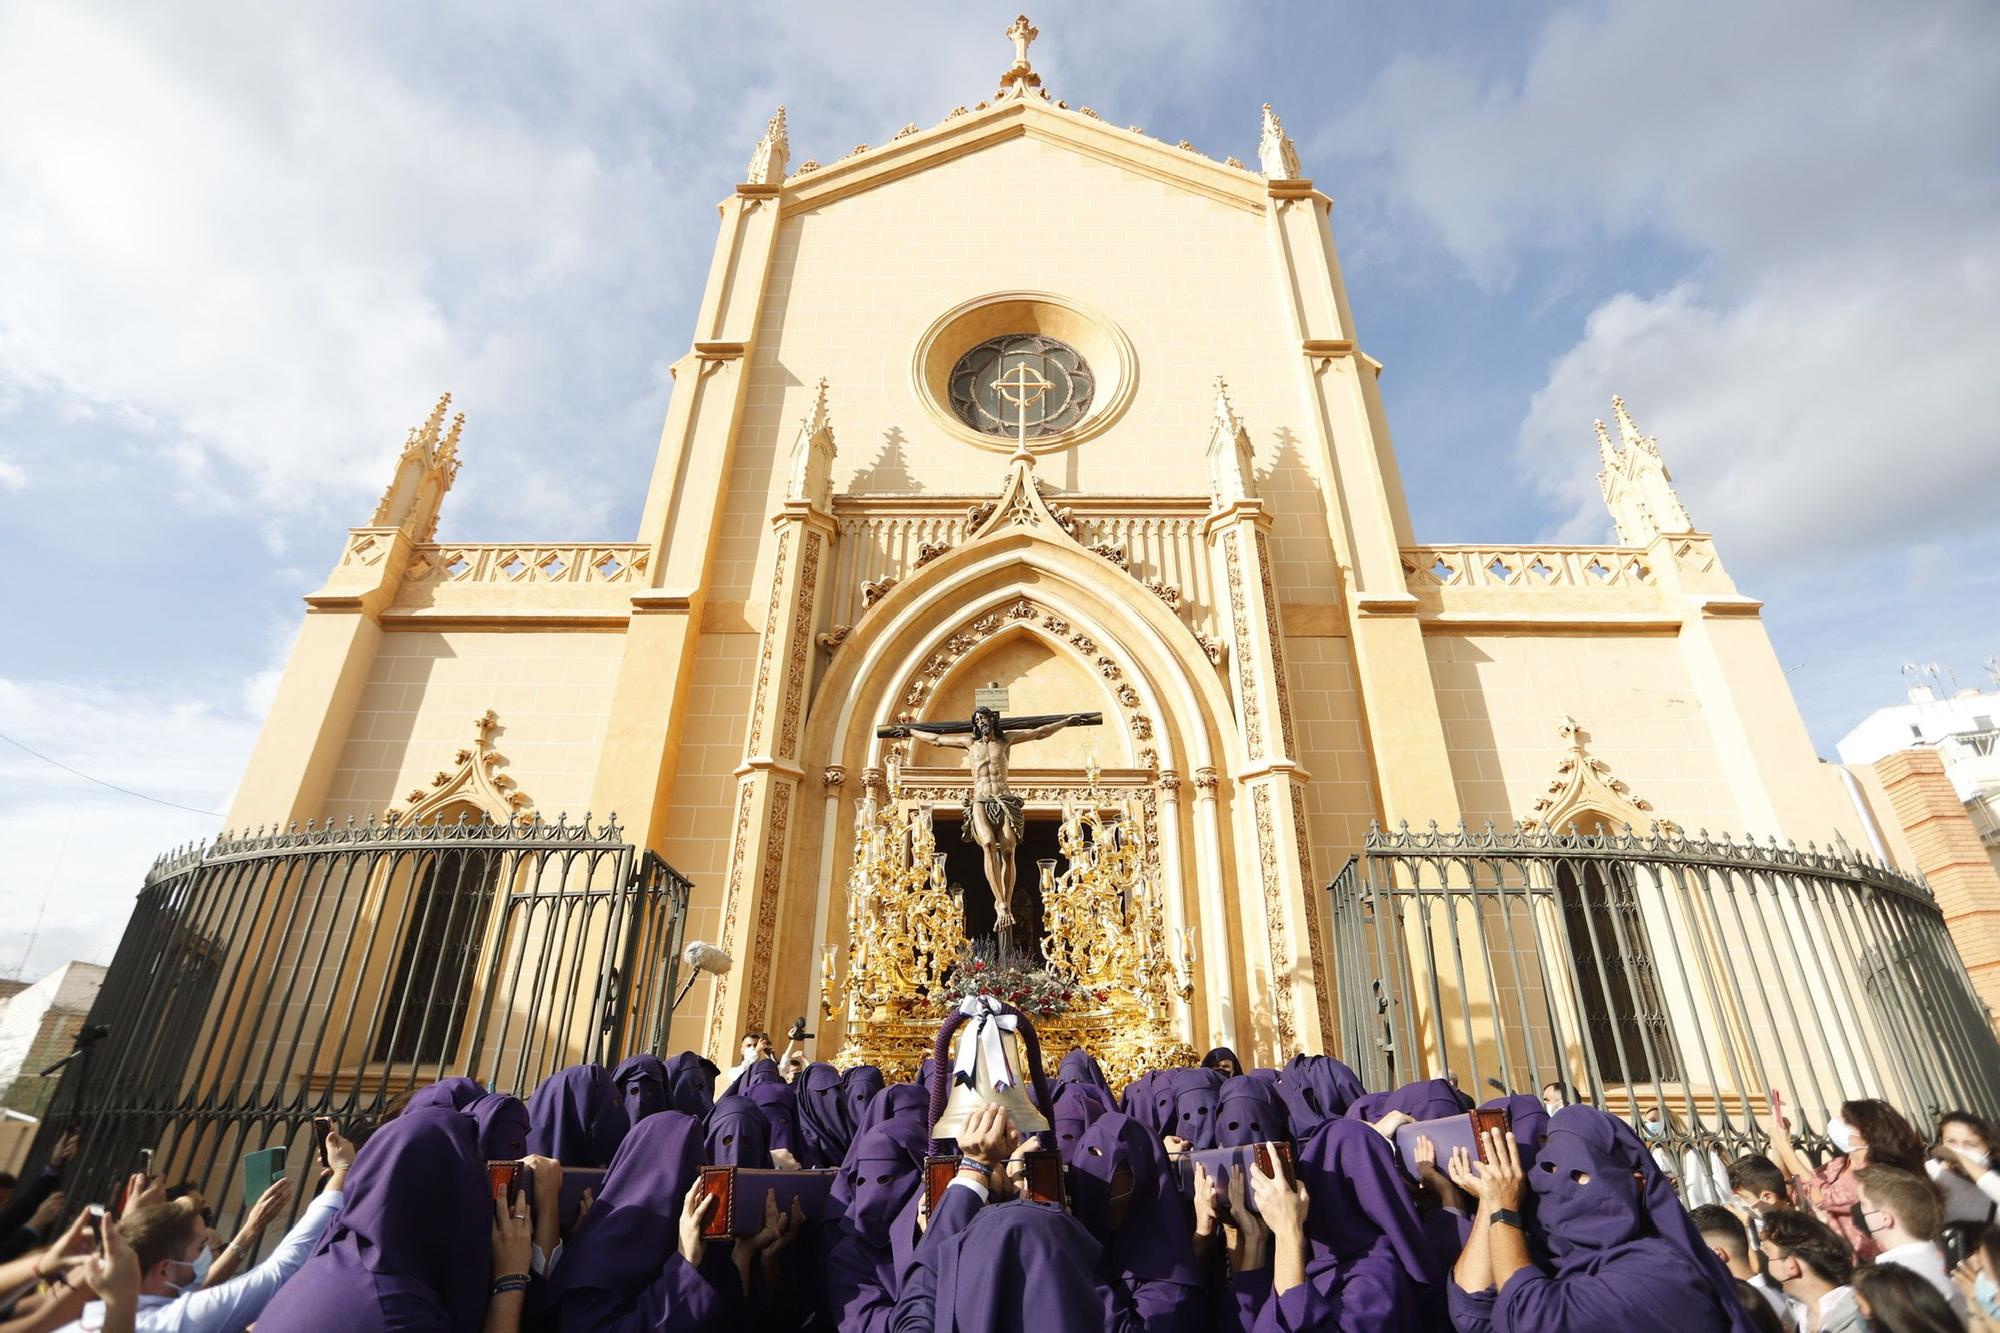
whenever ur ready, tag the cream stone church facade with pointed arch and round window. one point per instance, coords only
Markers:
(1277, 657)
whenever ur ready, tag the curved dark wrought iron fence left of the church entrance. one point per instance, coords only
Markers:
(271, 980)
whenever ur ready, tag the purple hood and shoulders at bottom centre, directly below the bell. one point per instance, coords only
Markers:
(1009, 1268)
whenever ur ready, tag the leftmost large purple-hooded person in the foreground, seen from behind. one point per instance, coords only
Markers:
(411, 1248)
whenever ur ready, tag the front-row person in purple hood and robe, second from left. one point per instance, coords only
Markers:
(623, 1270)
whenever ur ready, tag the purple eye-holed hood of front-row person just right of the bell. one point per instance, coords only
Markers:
(1153, 1244)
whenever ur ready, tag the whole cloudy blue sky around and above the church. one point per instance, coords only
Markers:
(245, 247)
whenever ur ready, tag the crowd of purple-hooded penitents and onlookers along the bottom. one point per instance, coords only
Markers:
(1559, 1218)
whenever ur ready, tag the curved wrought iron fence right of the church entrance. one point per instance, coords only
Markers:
(1689, 976)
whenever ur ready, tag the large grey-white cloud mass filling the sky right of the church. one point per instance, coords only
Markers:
(1821, 377)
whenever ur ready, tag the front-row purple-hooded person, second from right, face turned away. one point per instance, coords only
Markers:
(1367, 1260)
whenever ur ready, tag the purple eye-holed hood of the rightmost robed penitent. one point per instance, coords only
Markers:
(1589, 1222)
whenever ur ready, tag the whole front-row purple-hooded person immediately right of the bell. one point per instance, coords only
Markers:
(1149, 1256)
